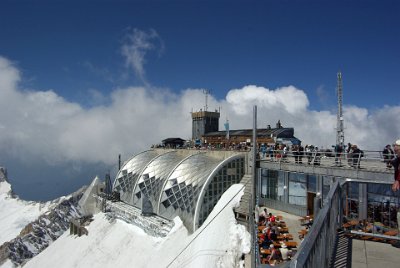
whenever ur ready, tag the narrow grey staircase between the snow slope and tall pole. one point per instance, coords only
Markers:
(242, 213)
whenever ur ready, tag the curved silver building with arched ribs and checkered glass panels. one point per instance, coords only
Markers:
(178, 183)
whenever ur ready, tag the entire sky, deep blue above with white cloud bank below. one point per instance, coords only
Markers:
(84, 81)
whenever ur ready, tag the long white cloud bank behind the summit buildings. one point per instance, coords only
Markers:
(41, 126)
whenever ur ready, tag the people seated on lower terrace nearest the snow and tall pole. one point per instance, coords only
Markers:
(269, 235)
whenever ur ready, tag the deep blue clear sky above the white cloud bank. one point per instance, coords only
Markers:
(73, 46)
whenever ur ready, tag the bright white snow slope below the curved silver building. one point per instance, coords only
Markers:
(220, 242)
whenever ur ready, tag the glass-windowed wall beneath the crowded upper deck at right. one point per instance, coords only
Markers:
(375, 201)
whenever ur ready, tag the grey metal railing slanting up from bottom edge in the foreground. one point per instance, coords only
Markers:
(317, 248)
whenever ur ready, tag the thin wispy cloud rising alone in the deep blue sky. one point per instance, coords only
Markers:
(135, 46)
